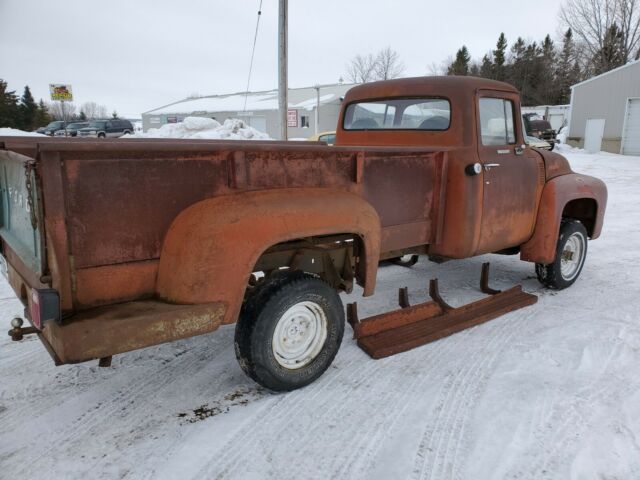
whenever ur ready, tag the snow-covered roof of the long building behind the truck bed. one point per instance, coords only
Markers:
(299, 98)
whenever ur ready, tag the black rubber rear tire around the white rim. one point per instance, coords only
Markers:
(264, 308)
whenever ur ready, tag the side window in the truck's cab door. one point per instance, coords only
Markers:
(497, 126)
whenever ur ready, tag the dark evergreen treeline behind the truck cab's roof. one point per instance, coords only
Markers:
(542, 72)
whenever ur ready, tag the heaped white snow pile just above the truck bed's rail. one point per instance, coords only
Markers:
(204, 128)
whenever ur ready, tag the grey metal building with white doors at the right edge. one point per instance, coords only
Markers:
(605, 112)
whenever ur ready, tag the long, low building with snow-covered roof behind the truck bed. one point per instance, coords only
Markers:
(308, 107)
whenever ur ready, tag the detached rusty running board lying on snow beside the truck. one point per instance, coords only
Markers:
(412, 326)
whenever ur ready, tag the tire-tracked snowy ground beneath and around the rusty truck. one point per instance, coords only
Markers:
(548, 392)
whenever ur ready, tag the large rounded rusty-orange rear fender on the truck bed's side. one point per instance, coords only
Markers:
(211, 248)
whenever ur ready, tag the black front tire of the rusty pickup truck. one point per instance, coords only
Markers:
(551, 275)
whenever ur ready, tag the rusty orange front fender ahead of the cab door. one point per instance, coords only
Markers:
(557, 193)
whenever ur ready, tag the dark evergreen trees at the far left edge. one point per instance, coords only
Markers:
(22, 113)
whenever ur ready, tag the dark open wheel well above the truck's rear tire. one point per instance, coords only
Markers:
(334, 258)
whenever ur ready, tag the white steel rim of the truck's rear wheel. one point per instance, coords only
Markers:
(299, 335)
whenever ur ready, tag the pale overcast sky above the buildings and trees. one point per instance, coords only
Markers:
(136, 55)
